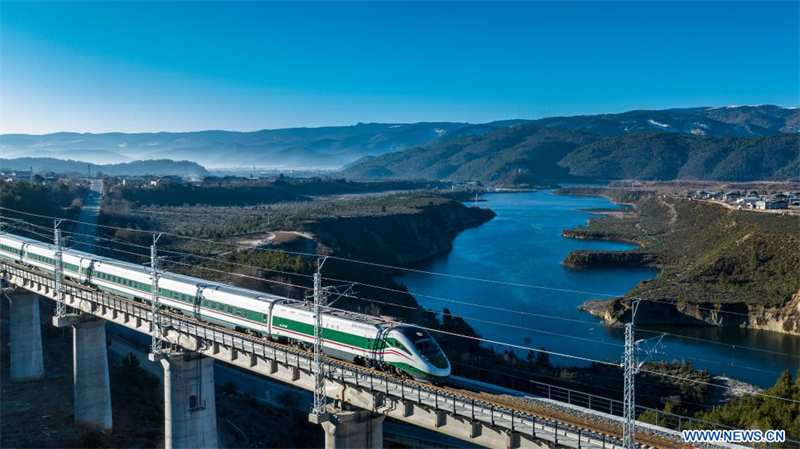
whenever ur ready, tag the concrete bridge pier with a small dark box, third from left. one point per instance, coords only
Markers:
(190, 414)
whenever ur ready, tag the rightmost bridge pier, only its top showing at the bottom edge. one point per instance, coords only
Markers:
(351, 429)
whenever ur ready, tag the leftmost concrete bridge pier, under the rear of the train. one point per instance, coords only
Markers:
(25, 333)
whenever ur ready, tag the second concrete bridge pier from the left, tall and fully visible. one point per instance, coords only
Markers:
(90, 372)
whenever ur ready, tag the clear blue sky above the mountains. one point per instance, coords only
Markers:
(139, 66)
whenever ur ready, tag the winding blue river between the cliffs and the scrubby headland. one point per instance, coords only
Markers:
(523, 244)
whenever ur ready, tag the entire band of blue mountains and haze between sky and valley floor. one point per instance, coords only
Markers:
(701, 136)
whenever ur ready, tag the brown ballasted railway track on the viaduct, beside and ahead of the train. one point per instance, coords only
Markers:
(506, 403)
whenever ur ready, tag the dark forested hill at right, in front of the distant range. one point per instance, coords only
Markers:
(527, 154)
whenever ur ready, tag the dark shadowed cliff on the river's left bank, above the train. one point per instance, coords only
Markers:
(399, 239)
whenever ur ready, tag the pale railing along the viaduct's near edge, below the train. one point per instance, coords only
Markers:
(475, 409)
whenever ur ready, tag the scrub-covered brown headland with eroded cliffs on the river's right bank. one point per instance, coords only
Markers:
(712, 260)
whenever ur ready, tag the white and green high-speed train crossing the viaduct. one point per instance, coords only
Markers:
(400, 348)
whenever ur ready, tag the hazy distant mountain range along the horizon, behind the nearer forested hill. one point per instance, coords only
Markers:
(338, 146)
